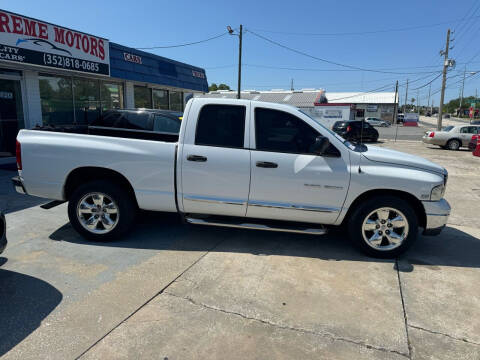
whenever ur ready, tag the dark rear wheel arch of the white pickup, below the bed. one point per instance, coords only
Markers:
(85, 174)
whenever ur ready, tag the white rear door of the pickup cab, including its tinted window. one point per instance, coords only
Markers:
(215, 159)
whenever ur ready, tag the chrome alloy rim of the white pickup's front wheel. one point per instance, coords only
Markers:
(385, 229)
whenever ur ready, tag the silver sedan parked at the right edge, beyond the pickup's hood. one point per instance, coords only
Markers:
(452, 137)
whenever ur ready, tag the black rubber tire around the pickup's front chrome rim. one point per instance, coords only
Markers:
(362, 212)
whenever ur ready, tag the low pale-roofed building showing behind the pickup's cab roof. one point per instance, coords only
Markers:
(337, 106)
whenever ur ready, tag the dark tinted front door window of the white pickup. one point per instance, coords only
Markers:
(279, 131)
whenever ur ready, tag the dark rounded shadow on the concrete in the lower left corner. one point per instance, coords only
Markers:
(24, 302)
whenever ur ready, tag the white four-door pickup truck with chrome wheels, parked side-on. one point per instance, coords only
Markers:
(238, 163)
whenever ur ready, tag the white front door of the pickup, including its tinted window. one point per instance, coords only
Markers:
(290, 182)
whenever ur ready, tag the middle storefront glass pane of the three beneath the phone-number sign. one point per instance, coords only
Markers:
(87, 100)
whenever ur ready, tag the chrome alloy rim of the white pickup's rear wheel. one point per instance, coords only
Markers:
(98, 213)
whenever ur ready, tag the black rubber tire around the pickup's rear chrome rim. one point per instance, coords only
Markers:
(124, 204)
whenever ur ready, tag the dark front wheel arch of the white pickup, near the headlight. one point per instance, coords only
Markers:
(411, 199)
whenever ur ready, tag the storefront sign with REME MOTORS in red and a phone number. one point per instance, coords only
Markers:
(29, 41)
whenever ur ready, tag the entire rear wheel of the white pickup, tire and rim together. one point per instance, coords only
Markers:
(101, 210)
